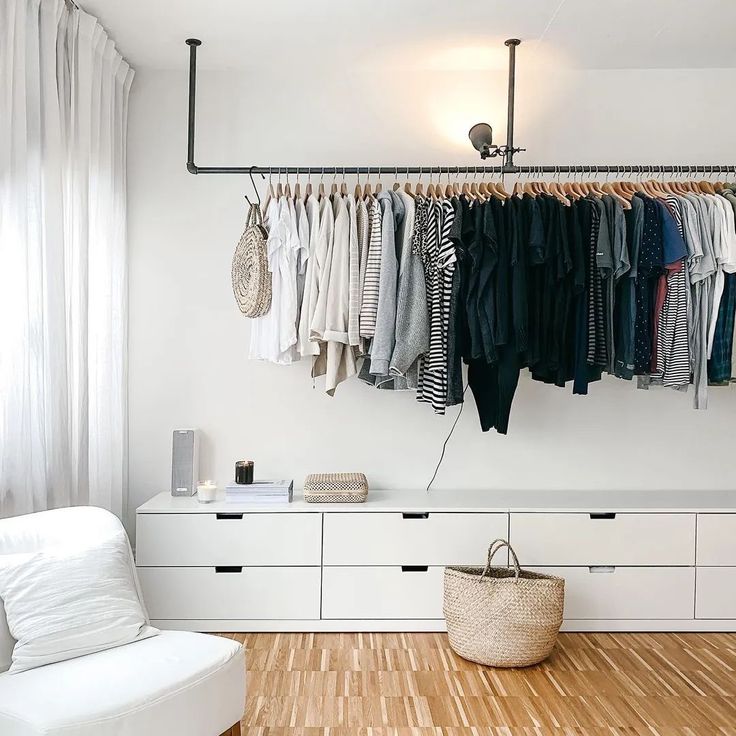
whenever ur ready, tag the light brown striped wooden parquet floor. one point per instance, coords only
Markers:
(414, 685)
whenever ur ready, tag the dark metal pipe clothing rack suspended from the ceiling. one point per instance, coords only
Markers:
(507, 151)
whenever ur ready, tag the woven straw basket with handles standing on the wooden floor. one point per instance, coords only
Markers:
(502, 617)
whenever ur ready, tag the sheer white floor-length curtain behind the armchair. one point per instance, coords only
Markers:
(63, 282)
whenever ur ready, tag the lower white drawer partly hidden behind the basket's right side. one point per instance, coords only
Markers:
(627, 592)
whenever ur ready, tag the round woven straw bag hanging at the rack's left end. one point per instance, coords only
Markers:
(251, 277)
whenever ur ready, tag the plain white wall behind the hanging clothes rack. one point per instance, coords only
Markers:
(188, 342)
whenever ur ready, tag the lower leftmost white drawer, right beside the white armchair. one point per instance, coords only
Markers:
(255, 592)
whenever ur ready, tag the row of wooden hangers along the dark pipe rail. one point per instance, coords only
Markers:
(566, 192)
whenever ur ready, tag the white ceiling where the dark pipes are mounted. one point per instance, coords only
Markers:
(437, 34)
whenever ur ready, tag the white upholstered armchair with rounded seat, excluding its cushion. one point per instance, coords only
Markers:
(174, 683)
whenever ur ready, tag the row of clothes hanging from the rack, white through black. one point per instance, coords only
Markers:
(570, 285)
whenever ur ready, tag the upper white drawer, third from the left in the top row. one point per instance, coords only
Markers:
(613, 539)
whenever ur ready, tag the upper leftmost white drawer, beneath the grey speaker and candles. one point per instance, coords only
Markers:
(228, 539)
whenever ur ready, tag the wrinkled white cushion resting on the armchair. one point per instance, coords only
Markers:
(71, 600)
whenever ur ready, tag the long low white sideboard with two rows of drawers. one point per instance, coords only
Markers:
(632, 561)
